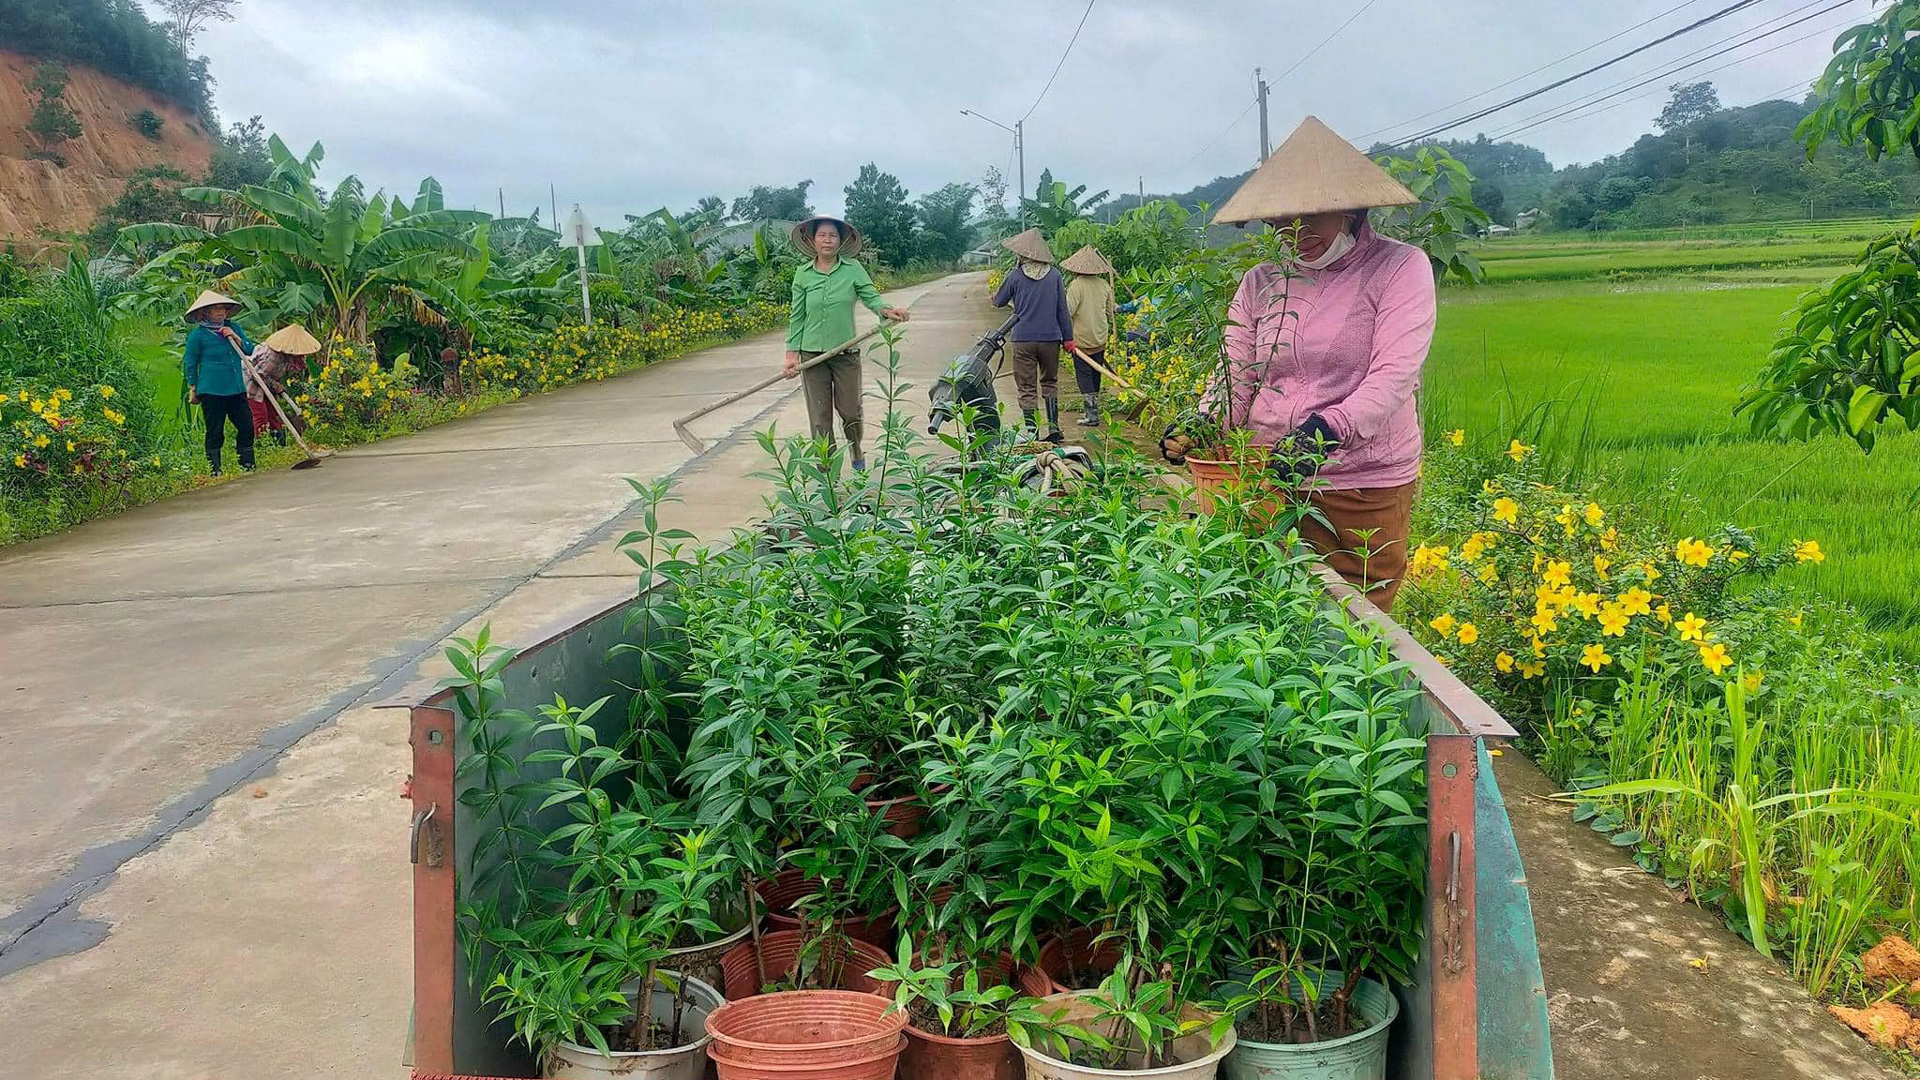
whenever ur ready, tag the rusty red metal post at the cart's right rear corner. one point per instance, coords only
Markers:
(1452, 910)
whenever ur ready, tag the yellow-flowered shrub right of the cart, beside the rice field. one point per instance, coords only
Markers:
(1529, 589)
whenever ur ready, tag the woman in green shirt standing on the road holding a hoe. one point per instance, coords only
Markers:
(823, 318)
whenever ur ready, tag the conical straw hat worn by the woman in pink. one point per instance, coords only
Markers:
(1314, 172)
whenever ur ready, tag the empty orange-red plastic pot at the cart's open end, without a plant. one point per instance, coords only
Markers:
(807, 1035)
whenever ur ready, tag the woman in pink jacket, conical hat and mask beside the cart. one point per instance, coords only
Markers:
(1326, 355)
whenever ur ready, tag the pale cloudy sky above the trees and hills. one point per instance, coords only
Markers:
(631, 105)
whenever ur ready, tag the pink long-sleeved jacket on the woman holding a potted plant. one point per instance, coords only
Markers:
(1349, 349)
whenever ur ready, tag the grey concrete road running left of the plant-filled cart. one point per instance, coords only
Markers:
(203, 848)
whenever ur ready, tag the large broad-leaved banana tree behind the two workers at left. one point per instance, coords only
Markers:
(329, 260)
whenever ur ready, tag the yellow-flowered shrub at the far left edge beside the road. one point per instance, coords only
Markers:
(66, 437)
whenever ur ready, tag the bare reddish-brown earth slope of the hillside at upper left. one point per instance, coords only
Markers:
(39, 197)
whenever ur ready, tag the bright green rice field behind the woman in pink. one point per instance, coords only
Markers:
(1641, 381)
